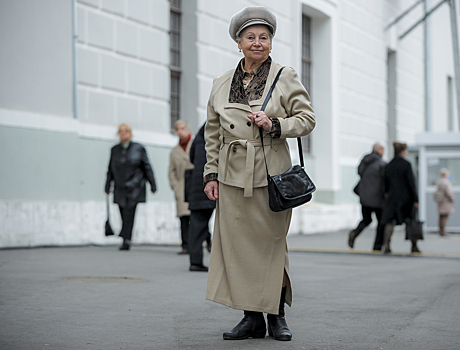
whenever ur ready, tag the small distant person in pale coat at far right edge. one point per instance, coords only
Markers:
(444, 197)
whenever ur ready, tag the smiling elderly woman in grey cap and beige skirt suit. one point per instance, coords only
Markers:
(249, 267)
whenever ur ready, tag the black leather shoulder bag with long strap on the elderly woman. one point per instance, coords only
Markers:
(293, 187)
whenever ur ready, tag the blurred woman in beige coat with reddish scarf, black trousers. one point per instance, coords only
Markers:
(179, 160)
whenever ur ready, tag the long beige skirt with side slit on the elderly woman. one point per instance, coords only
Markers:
(249, 252)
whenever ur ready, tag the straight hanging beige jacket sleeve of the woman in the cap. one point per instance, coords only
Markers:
(212, 138)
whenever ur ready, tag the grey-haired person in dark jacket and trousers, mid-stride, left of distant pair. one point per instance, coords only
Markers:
(370, 190)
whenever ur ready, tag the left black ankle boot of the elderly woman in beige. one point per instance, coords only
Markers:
(251, 326)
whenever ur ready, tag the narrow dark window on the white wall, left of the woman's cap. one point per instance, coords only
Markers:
(175, 58)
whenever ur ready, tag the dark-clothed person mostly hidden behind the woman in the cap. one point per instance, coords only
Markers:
(201, 207)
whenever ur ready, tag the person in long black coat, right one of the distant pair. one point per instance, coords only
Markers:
(400, 195)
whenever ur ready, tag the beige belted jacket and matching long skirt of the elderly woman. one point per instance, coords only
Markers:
(249, 250)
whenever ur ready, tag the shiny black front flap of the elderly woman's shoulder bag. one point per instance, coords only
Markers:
(294, 183)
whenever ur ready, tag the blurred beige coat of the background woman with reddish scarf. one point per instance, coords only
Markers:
(179, 160)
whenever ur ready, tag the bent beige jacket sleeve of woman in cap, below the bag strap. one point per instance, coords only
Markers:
(296, 102)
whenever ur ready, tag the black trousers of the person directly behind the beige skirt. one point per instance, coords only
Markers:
(199, 232)
